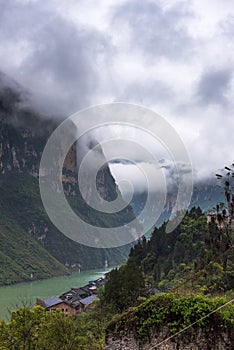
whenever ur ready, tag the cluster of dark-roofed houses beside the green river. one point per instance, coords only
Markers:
(77, 299)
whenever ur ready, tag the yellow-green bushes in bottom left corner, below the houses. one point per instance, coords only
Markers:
(38, 329)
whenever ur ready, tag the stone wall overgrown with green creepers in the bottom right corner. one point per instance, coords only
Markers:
(160, 322)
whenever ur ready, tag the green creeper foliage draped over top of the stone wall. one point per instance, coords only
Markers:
(176, 312)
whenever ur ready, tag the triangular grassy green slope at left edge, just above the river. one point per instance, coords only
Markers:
(22, 258)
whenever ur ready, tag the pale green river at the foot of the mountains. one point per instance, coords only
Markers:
(16, 295)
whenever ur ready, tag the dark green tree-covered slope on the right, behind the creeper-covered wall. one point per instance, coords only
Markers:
(188, 260)
